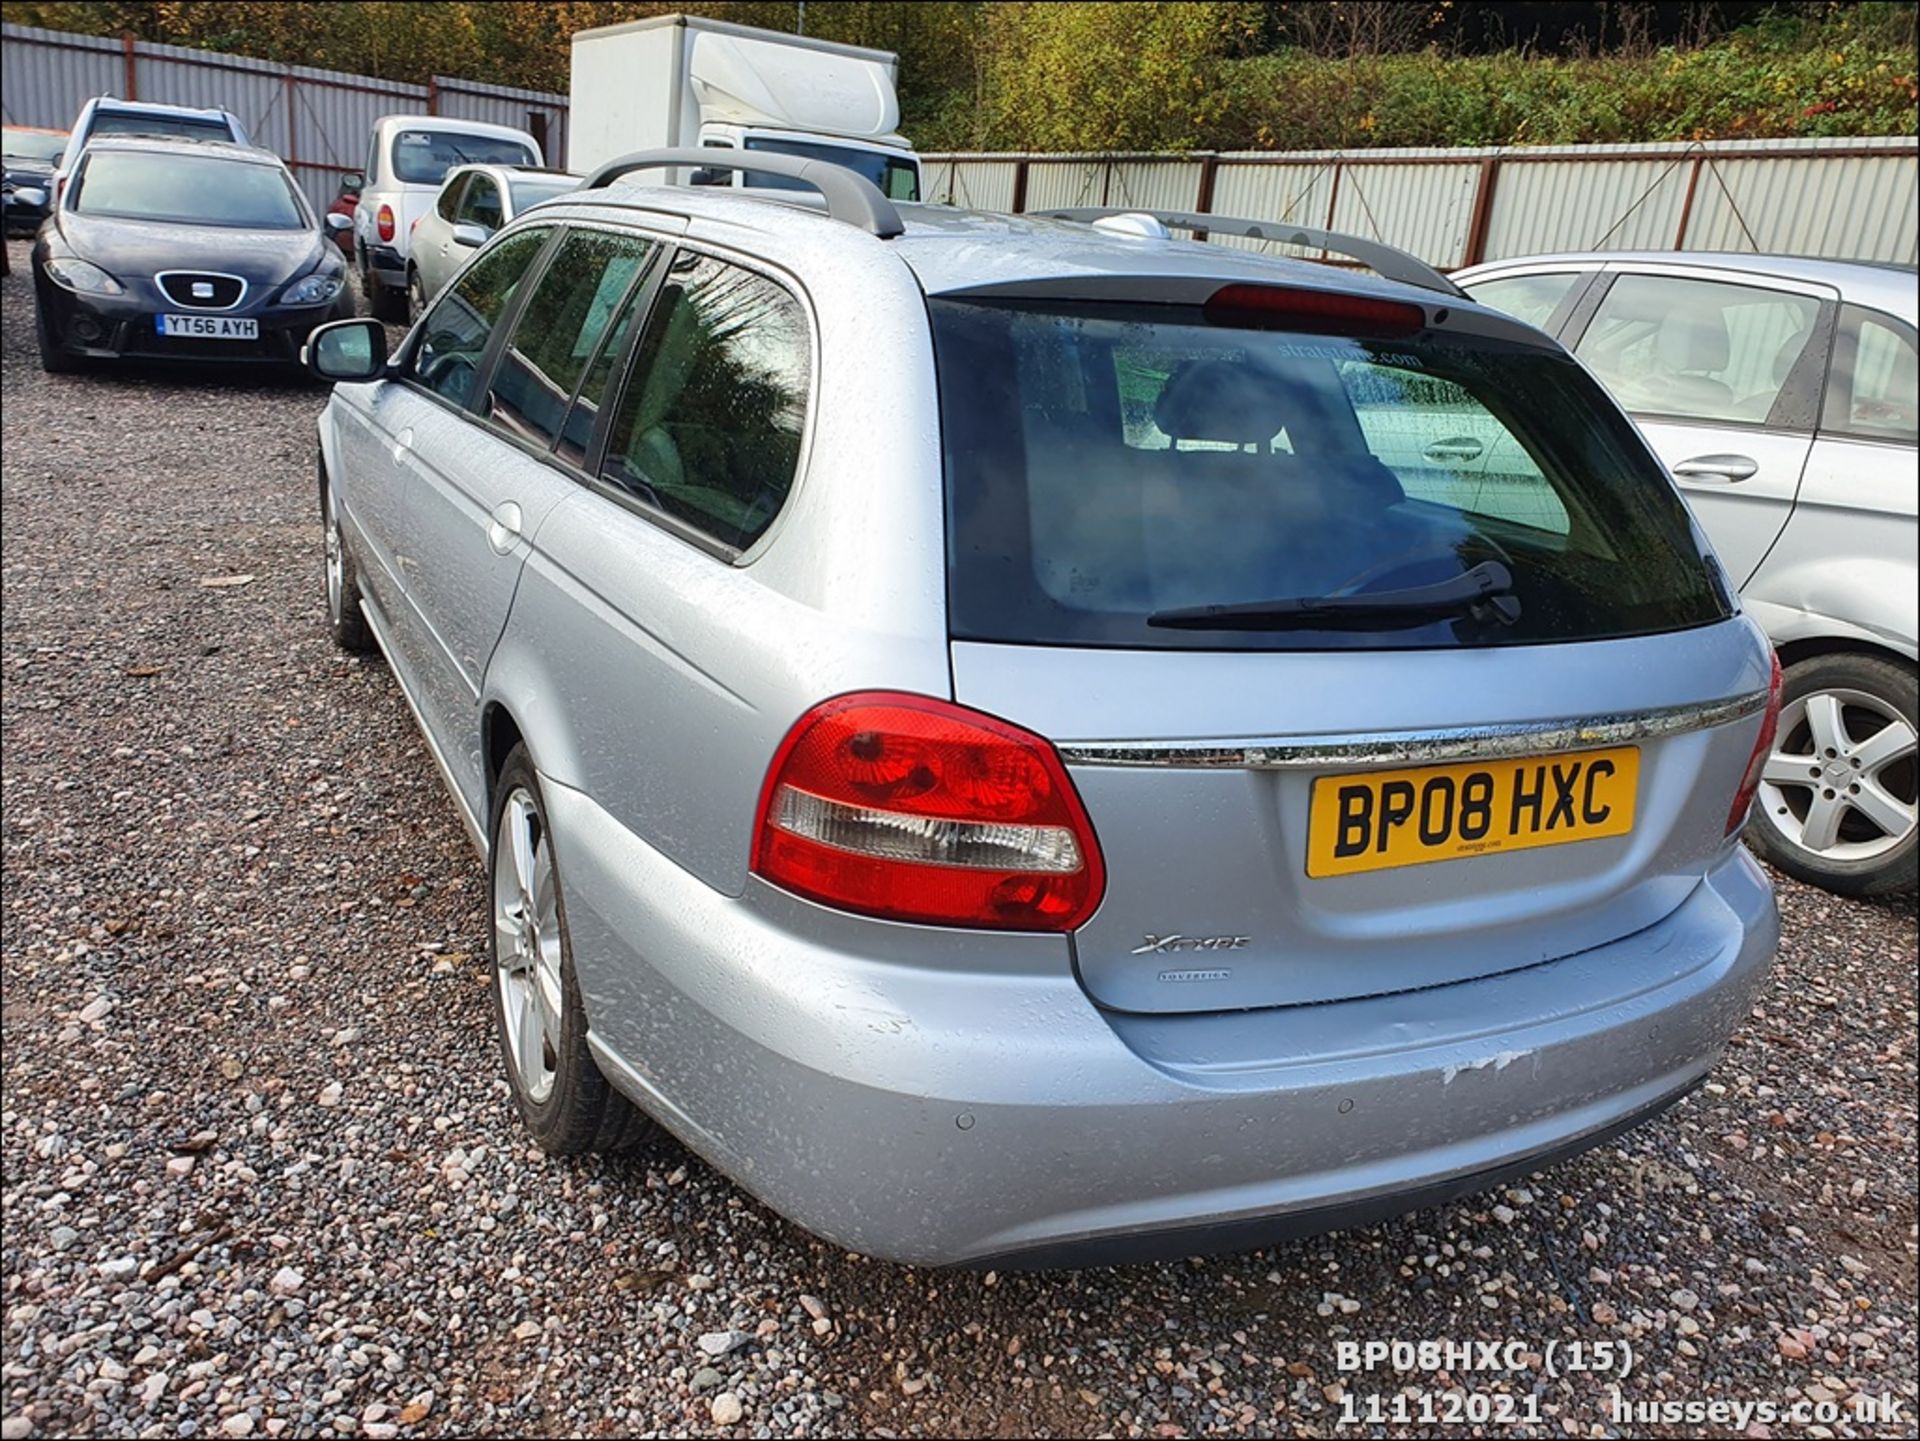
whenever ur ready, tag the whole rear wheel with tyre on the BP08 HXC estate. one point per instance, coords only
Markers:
(560, 1091)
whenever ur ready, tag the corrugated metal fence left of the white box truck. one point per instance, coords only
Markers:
(320, 122)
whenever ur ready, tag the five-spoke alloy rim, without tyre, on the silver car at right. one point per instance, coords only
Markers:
(1842, 780)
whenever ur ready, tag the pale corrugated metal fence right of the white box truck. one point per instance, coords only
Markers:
(1831, 197)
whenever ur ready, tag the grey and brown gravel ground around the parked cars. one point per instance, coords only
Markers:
(262, 1175)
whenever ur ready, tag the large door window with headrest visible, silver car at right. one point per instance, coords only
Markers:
(1698, 350)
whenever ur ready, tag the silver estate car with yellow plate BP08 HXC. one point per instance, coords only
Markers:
(1036, 740)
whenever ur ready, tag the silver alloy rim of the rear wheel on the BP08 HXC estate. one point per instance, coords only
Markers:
(527, 947)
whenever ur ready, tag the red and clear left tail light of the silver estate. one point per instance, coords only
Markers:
(923, 811)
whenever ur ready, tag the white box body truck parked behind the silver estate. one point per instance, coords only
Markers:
(679, 82)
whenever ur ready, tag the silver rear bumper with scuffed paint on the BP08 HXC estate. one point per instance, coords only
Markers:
(934, 1106)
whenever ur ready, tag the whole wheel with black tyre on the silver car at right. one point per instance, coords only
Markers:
(1838, 795)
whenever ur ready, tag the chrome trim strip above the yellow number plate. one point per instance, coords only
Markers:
(1418, 747)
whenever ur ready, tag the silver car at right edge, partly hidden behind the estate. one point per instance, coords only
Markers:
(1783, 394)
